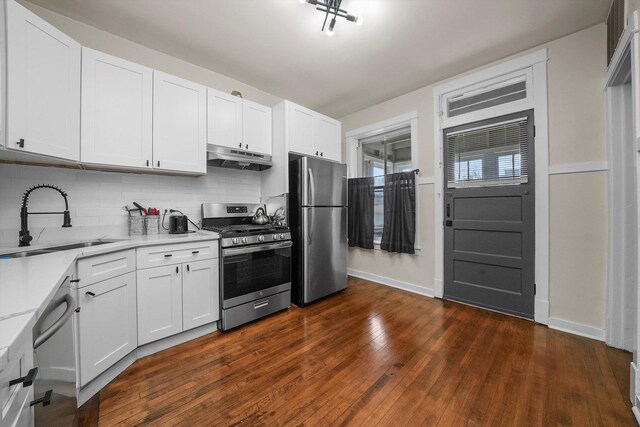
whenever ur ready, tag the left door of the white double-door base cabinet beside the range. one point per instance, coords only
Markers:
(159, 303)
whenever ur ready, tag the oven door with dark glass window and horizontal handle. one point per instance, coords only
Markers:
(256, 271)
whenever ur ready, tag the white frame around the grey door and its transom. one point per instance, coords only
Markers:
(536, 64)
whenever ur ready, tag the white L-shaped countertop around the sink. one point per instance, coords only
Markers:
(28, 284)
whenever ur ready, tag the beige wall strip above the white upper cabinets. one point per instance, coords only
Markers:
(106, 42)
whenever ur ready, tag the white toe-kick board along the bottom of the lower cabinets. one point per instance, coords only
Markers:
(110, 374)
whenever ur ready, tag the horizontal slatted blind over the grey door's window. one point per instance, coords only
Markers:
(493, 155)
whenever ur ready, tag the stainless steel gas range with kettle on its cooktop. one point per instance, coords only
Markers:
(255, 263)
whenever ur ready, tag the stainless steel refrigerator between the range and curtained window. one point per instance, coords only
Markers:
(318, 221)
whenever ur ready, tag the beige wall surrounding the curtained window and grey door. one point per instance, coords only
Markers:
(578, 213)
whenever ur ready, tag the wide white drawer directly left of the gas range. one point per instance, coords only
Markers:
(156, 256)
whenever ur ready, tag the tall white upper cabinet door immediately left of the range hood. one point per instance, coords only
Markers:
(179, 124)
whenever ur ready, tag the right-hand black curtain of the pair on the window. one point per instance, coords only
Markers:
(399, 230)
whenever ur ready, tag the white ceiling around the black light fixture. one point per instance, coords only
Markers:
(277, 45)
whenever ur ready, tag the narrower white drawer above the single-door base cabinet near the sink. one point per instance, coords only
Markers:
(95, 269)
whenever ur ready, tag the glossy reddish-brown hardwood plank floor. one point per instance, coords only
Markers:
(375, 355)
